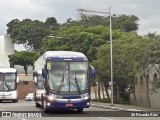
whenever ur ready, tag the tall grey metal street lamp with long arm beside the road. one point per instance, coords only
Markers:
(110, 26)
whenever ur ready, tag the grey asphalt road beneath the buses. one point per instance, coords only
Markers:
(25, 110)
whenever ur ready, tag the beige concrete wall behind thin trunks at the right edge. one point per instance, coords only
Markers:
(141, 89)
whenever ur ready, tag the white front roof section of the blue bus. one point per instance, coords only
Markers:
(65, 55)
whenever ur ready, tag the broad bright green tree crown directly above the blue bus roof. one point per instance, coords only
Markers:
(79, 38)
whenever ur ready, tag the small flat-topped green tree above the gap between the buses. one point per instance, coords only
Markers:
(24, 58)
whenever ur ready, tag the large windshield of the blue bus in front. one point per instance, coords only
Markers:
(67, 76)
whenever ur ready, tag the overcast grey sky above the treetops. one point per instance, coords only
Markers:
(148, 11)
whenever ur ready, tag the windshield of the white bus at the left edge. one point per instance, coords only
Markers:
(7, 81)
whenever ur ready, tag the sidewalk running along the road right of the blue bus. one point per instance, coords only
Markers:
(121, 107)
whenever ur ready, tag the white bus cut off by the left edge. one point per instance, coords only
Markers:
(8, 84)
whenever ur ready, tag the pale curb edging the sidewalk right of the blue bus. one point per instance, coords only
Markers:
(114, 108)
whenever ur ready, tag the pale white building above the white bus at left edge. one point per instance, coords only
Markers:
(6, 48)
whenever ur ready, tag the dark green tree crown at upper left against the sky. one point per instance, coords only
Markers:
(28, 32)
